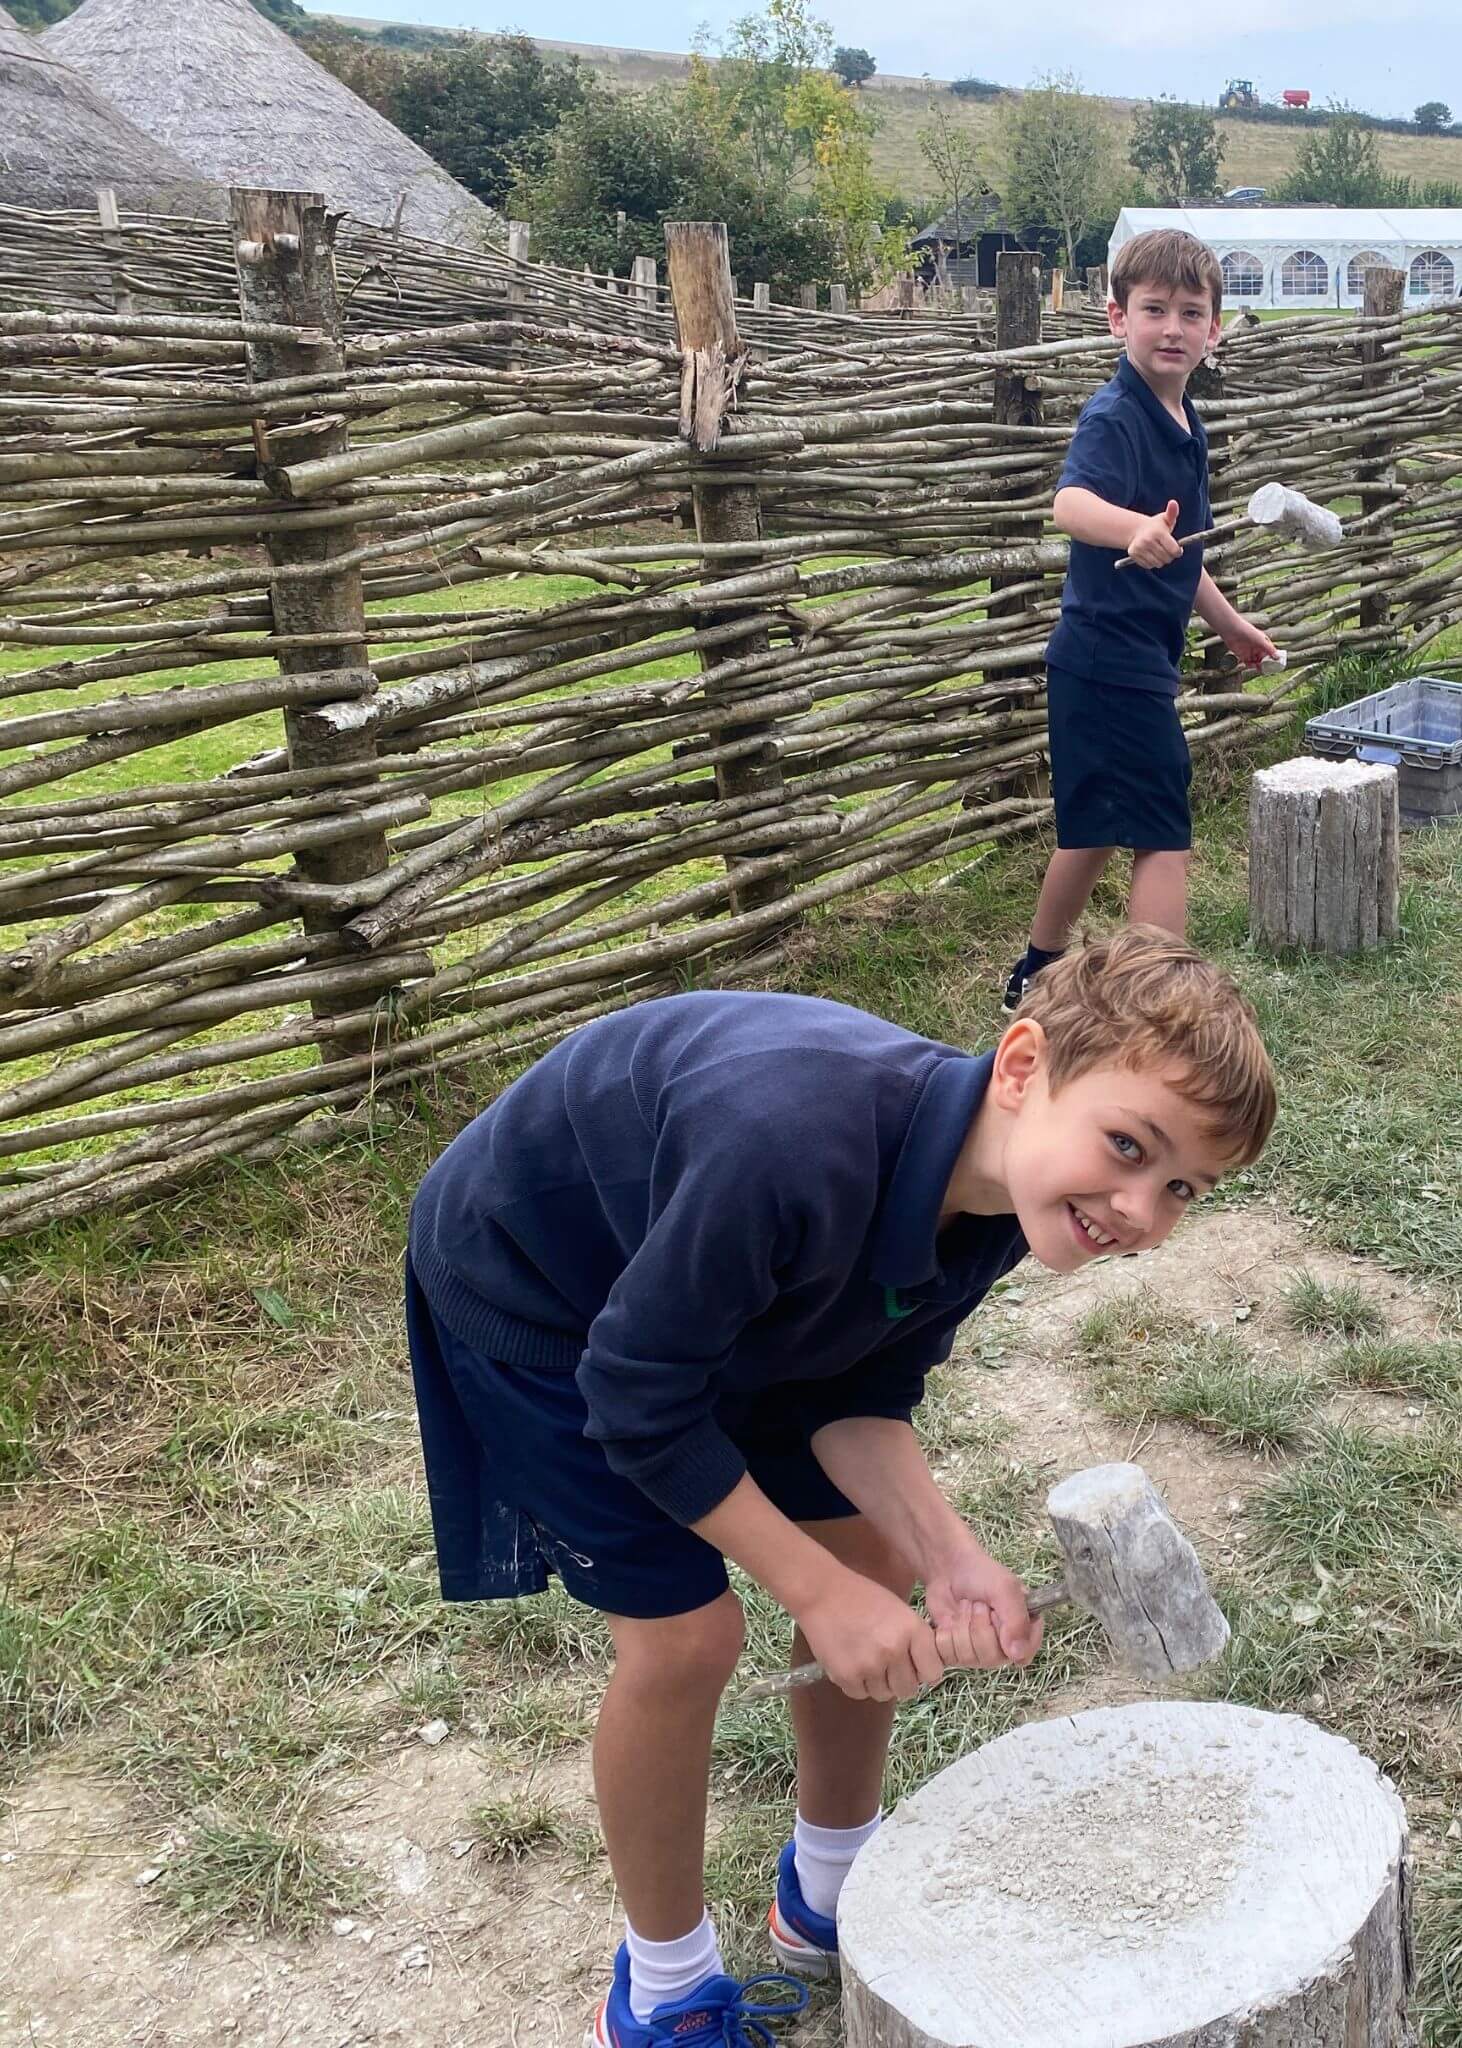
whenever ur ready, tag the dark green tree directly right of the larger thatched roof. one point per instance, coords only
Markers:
(484, 108)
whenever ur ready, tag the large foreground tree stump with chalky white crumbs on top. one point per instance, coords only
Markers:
(1170, 1875)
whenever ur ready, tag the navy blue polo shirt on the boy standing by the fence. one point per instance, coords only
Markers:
(1129, 628)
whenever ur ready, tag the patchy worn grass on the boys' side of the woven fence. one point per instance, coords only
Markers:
(220, 1586)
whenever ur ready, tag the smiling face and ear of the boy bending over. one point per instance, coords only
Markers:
(1105, 1164)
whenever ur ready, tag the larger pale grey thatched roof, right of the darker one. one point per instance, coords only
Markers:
(234, 95)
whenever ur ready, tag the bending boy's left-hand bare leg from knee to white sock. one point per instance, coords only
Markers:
(652, 1760)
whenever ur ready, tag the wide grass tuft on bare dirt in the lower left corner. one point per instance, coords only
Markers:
(243, 1873)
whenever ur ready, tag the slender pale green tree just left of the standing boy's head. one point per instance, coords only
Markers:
(1060, 161)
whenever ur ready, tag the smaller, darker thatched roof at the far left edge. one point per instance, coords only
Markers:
(60, 140)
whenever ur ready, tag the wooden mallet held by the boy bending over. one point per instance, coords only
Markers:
(1127, 1564)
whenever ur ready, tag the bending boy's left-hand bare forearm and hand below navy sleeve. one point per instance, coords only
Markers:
(869, 1641)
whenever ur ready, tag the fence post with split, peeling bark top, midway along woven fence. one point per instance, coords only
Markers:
(697, 259)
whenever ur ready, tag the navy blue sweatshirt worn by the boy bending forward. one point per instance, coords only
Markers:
(707, 1195)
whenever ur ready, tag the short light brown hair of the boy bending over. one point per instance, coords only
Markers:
(1148, 1000)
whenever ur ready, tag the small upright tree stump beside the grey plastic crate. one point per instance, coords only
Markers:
(1324, 855)
